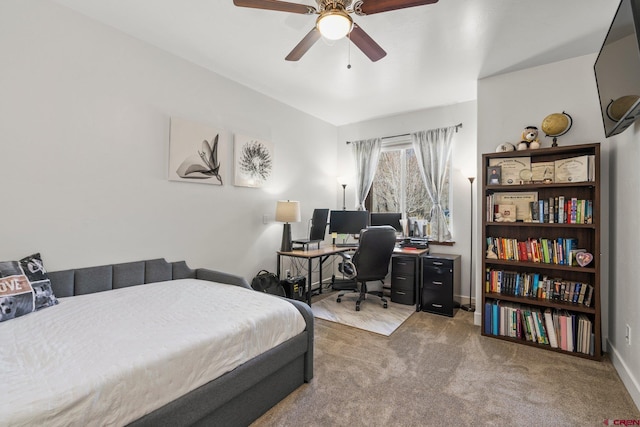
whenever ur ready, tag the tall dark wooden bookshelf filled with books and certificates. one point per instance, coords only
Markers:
(504, 304)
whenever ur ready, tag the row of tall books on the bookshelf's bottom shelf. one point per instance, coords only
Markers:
(561, 329)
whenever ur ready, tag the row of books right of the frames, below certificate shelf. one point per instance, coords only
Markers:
(561, 210)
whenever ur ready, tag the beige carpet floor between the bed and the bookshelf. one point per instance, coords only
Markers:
(435, 370)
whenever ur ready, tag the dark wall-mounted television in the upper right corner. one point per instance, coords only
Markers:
(617, 70)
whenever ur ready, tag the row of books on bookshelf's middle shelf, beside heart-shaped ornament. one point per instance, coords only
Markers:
(560, 251)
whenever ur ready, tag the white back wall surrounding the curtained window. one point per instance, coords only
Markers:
(464, 165)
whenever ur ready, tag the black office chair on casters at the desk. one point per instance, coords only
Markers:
(370, 262)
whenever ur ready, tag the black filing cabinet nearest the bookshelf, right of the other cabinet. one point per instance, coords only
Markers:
(441, 281)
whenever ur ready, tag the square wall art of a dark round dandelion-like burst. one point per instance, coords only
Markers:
(253, 161)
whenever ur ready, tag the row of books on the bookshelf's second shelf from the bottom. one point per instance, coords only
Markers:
(538, 286)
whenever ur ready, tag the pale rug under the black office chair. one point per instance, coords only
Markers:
(371, 317)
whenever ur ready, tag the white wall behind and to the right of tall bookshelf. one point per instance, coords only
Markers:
(509, 102)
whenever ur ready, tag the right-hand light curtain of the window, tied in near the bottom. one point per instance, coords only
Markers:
(433, 152)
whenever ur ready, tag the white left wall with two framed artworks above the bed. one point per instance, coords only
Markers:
(84, 124)
